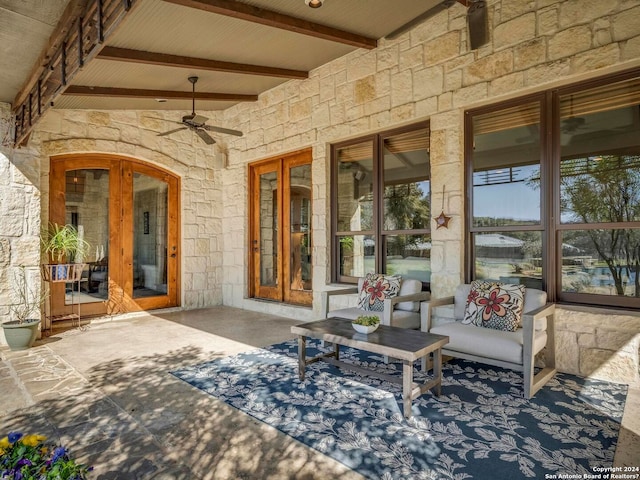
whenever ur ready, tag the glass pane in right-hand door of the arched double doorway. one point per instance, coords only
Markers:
(150, 196)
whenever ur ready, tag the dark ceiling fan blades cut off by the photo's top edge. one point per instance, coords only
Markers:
(477, 21)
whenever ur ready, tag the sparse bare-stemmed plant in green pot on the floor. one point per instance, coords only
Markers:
(21, 331)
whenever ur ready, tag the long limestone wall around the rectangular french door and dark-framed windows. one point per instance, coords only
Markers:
(429, 73)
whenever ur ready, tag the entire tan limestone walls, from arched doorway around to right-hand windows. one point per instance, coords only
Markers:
(427, 73)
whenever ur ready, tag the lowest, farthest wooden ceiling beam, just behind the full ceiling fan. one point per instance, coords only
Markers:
(88, 91)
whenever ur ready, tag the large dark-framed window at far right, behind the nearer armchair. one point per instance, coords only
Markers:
(554, 189)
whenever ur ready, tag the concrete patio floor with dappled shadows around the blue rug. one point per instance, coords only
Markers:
(106, 393)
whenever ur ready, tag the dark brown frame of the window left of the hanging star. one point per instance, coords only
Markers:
(377, 232)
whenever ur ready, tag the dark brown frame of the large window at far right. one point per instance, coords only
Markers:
(550, 190)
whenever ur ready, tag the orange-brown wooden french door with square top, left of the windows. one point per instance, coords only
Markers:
(280, 233)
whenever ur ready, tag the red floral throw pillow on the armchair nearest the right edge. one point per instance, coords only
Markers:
(494, 305)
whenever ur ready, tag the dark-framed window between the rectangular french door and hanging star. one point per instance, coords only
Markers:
(381, 205)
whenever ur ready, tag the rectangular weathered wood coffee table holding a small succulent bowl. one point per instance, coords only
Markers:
(404, 344)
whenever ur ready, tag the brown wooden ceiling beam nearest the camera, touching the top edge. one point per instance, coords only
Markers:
(270, 18)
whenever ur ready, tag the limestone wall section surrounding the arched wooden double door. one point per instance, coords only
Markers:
(134, 134)
